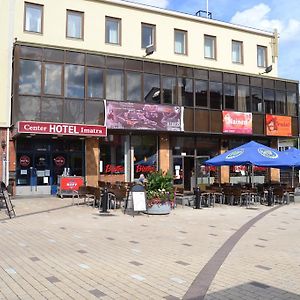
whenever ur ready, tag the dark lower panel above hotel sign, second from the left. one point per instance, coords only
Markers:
(51, 110)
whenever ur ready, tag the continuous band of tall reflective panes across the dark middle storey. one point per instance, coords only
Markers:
(84, 82)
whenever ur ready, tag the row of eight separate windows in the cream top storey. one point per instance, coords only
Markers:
(34, 23)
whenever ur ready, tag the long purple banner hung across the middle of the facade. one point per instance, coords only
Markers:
(124, 115)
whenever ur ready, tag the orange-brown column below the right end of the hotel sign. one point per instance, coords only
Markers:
(92, 161)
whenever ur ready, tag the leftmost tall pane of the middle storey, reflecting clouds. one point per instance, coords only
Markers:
(30, 77)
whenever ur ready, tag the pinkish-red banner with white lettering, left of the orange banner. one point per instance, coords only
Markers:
(237, 122)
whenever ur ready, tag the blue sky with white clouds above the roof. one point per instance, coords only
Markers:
(266, 15)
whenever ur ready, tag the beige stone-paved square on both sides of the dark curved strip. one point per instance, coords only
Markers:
(53, 250)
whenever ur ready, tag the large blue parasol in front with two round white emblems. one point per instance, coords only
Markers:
(251, 153)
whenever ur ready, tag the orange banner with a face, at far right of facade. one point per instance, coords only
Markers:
(278, 125)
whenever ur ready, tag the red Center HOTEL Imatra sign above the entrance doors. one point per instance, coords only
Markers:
(61, 129)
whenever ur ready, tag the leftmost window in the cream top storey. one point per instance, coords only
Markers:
(33, 18)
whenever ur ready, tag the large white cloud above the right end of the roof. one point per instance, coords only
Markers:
(257, 17)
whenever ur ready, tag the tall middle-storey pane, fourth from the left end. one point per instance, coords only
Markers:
(95, 83)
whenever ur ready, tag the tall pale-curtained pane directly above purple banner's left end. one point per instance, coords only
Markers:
(115, 85)
